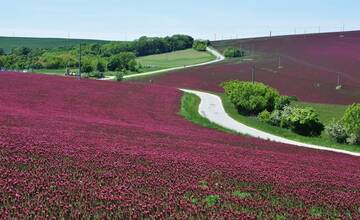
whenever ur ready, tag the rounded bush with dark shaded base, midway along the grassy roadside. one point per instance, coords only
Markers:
(303, 121)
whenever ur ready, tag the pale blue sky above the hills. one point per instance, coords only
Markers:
(205, 19)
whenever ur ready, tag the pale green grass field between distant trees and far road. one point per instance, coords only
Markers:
(173, 59)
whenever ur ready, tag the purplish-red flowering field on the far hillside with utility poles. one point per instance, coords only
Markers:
(310, 67)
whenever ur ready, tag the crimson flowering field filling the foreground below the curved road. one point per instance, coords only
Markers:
(81, 149)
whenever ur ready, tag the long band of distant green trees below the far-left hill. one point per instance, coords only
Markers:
(95, 57)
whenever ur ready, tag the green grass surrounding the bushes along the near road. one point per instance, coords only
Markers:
(323, 140)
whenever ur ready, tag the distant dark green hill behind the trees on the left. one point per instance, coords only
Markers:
(7, 43)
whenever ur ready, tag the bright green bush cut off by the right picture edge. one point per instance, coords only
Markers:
(351, 120)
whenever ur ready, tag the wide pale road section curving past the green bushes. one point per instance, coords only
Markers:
(211, 107)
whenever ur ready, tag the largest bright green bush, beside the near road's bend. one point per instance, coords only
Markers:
(250, 98)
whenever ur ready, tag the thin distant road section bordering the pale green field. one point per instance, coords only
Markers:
(219, 57)
